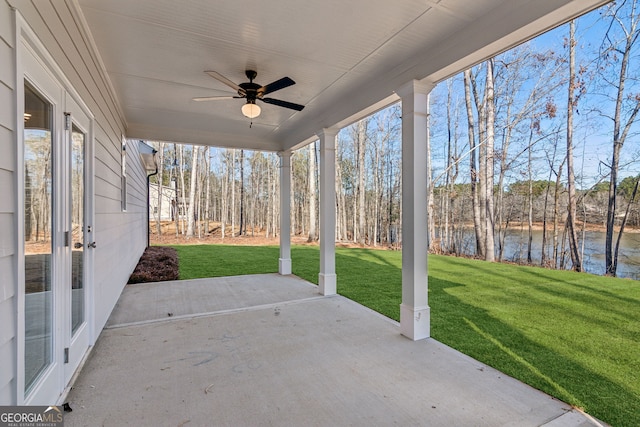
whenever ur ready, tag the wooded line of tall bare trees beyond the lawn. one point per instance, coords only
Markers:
(537, 136)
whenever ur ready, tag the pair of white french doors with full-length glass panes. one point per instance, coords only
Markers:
(56, 229)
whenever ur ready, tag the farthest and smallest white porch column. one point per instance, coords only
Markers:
(285, 213)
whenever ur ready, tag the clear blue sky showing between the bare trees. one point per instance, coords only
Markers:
(592, 131)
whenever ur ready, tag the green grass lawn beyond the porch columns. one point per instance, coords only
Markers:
(574, 336)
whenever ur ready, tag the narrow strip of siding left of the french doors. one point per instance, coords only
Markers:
(8, 238)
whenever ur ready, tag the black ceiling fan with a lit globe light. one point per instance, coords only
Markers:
(253, 92)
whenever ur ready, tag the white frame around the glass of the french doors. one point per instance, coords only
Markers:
(34, 64)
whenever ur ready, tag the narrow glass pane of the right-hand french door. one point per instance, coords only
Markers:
(77, 227)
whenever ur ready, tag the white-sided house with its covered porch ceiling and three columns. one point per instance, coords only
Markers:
(80, 78)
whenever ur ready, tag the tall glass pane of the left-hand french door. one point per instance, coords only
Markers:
(38, 218)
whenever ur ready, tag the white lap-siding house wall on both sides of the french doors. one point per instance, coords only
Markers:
(120, 236)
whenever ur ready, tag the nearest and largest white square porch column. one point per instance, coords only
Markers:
(414, 310)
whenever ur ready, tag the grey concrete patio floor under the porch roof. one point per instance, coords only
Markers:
(269, 350)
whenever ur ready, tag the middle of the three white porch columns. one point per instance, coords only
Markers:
(327, 277)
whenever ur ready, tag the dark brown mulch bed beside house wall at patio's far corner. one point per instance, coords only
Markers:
(157, 264)
